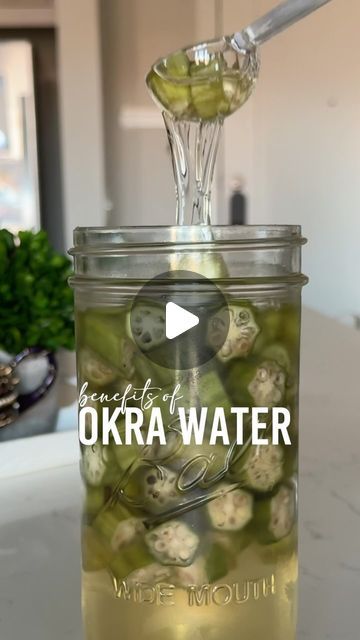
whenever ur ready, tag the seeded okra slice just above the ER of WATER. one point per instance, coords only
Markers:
(267, 388)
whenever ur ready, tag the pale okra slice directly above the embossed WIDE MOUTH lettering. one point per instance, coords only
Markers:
(173, 543)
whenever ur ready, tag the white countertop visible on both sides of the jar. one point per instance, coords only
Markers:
(39, 517)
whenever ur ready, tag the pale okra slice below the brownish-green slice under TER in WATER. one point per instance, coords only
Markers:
(232, 510)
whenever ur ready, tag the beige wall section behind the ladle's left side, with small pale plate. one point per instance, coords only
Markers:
(140, 185)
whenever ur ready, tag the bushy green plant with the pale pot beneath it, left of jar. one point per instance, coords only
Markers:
(36, 321)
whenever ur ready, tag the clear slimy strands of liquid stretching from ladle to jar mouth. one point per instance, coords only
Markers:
(193, 148)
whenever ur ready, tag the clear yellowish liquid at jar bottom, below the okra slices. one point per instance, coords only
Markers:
(257, 601)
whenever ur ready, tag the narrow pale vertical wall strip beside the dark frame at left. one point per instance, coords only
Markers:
(81, 114)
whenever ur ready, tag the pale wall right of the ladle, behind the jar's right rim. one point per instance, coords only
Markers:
(298, 144)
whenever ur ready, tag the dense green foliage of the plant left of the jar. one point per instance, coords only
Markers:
(36, 302)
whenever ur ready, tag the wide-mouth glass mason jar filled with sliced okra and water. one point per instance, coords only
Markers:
(190, 539)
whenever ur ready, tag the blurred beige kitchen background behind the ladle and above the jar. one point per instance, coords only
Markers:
(82, 144)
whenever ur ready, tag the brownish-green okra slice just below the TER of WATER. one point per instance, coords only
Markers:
(260, 468)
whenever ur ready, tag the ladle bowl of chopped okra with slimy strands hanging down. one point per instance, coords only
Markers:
(196, 89)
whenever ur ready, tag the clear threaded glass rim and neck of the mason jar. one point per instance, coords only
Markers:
(252, 257)
